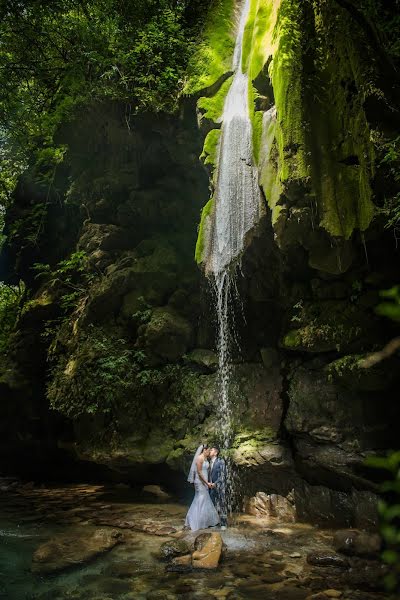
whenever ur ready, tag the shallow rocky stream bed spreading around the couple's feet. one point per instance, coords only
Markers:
(81, 542)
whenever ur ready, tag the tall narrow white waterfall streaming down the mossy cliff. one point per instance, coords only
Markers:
(237, 204)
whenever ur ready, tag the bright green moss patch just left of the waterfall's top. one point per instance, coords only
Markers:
(214, 54)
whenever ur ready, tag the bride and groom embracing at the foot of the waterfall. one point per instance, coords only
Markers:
(208, 474)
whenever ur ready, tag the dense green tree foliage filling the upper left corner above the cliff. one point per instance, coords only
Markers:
(56, 57)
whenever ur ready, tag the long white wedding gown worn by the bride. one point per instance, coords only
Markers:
(202, 513)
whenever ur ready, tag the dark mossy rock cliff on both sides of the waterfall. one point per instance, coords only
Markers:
(128, 360)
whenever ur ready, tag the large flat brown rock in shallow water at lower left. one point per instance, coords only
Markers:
(68, 550)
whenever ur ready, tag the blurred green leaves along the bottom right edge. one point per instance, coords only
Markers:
(389, 511)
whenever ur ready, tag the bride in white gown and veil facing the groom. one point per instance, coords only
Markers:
(202, 512)
